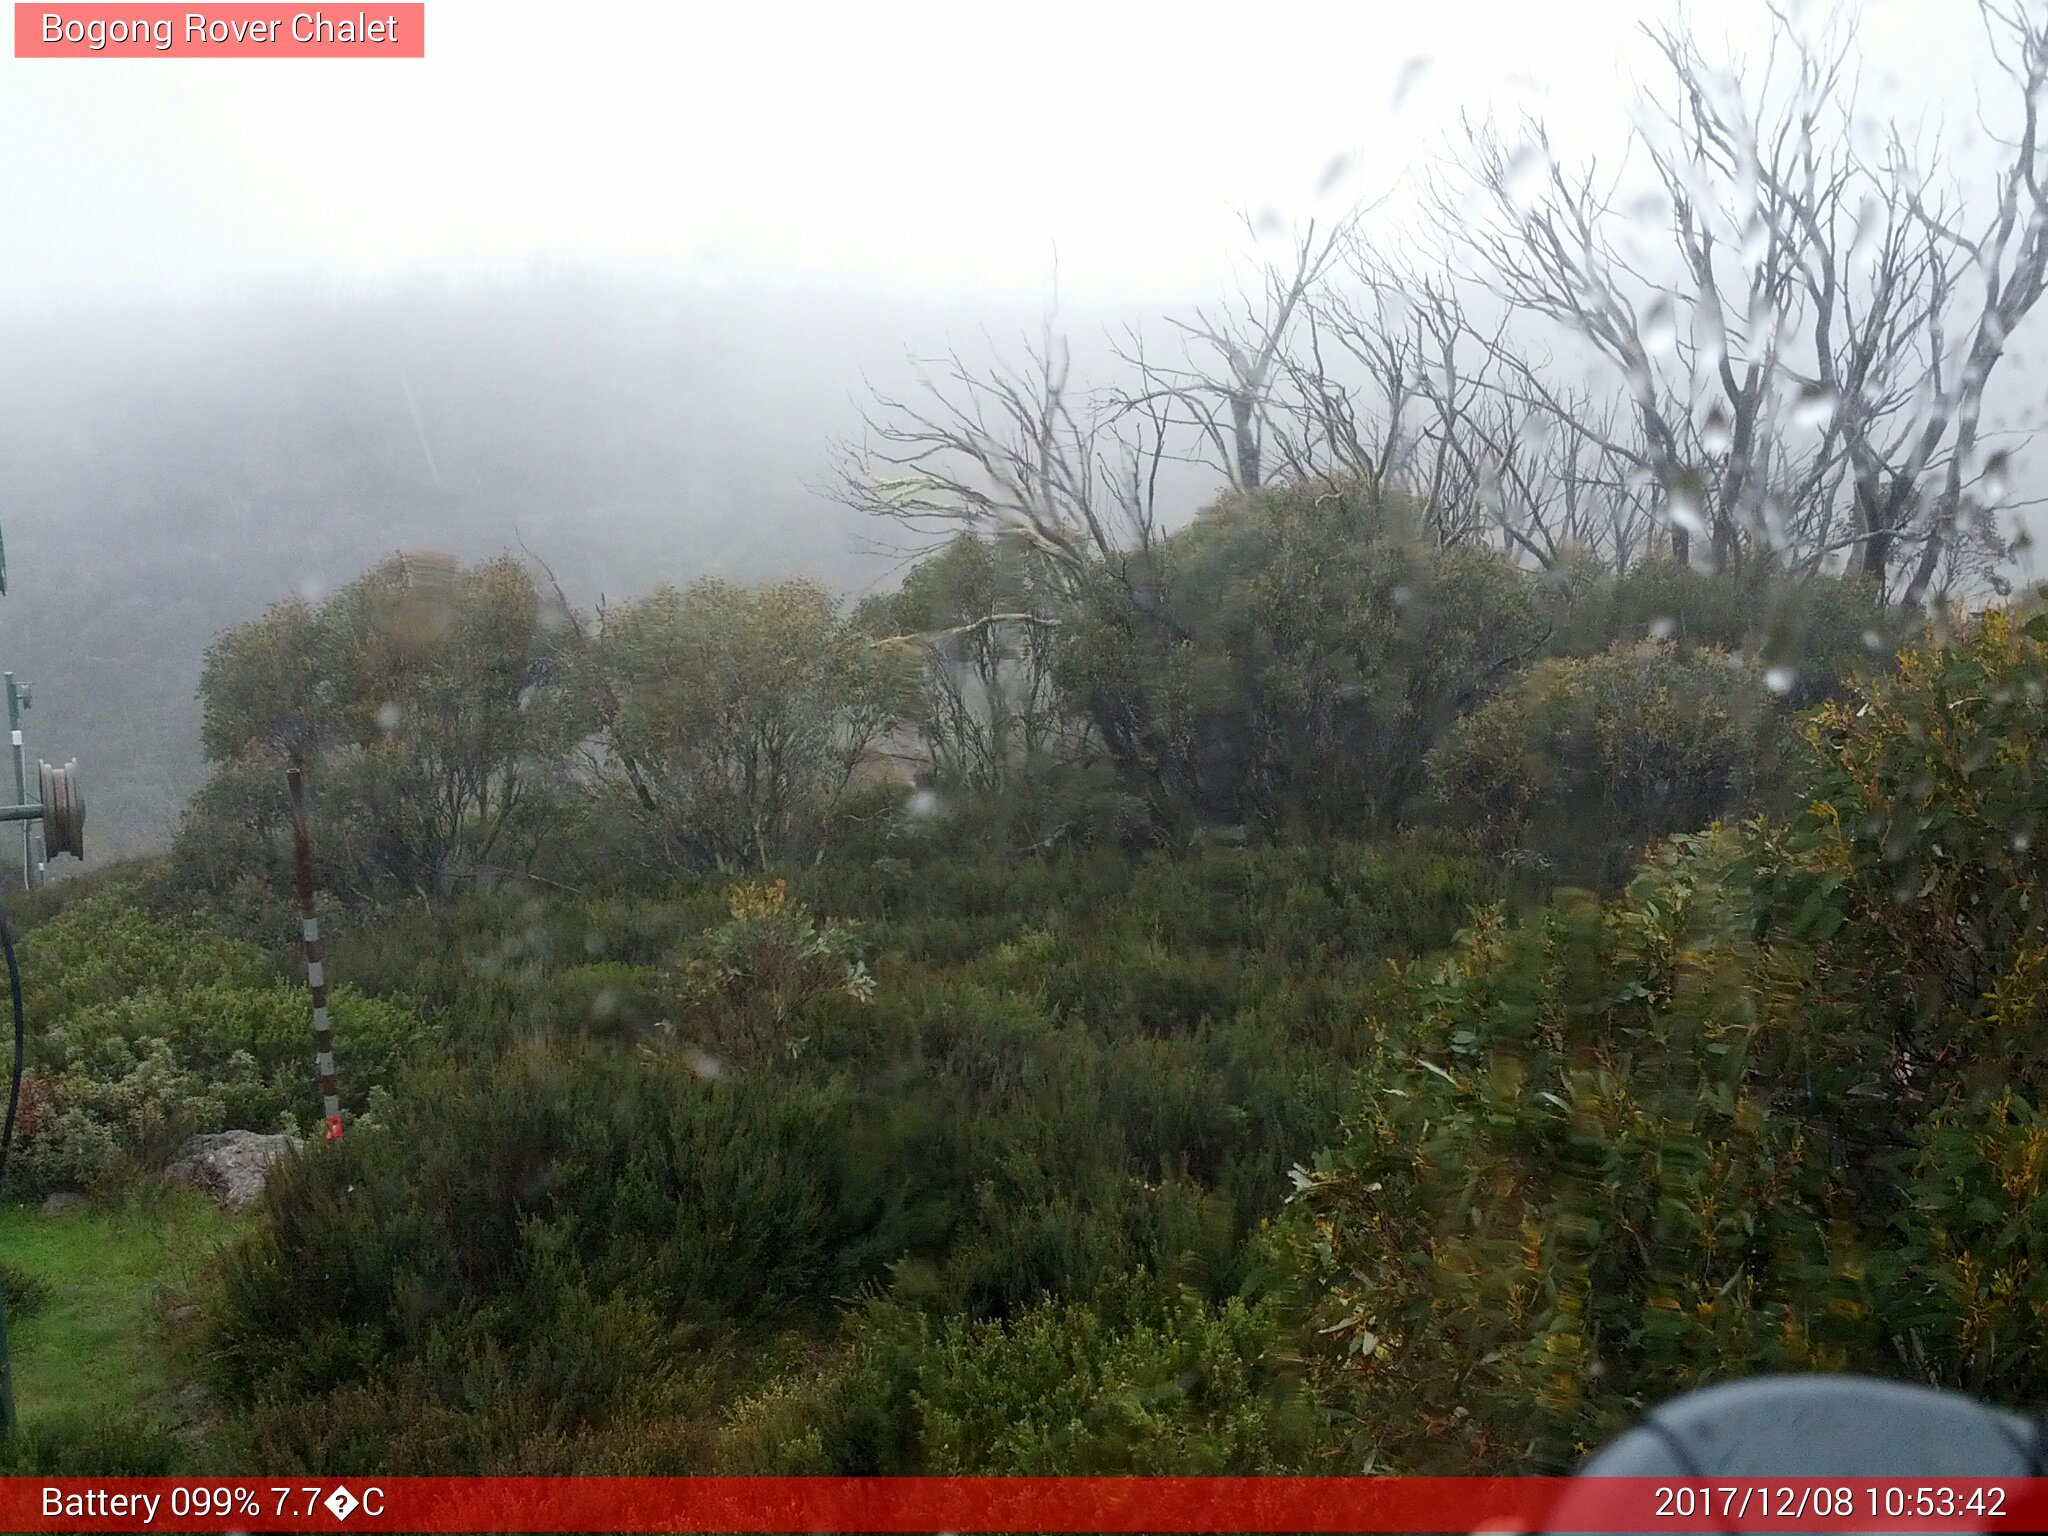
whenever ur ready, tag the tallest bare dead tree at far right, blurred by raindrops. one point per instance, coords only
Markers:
(1805, 357)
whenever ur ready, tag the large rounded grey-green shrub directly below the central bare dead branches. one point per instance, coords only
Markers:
(1330, 644)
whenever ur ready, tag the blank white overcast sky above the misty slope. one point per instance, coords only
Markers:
(935, 148)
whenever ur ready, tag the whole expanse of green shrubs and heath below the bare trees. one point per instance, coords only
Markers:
(792, 1039)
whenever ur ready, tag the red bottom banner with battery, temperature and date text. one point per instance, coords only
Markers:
(1021, 1504)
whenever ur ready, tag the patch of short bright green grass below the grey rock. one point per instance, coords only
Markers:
(105, 1340)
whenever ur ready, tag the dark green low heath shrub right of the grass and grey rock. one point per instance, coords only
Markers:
(505, 1197)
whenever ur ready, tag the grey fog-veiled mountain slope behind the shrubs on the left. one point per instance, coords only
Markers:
(173, 472)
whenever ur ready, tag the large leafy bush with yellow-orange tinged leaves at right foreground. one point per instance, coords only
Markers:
(1775, 1111)
